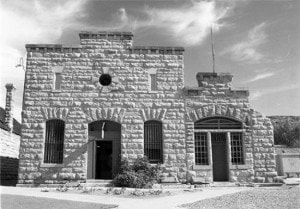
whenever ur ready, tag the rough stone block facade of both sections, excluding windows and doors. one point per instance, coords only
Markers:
(132, 97)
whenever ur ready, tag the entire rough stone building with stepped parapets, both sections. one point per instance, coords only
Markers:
(86, 106)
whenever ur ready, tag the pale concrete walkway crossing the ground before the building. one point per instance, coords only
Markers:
(168, 202)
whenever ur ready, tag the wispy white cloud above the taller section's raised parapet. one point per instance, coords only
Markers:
(189, 24)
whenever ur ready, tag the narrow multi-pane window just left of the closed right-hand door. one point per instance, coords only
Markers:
(201, 149)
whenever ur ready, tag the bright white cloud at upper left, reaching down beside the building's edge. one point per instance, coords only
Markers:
(38, 21)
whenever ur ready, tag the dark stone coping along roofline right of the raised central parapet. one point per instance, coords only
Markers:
(157, 50)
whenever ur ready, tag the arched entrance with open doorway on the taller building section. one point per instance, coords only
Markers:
(104, 149)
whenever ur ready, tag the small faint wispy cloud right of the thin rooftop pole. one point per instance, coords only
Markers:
(248, 50)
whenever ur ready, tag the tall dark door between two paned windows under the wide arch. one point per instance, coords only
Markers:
(219, 155)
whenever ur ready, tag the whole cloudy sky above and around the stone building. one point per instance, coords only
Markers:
(257, 40)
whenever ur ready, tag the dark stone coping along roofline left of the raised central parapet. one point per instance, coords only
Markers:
(51, 48)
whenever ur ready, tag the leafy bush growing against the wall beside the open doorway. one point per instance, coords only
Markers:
(138, 175)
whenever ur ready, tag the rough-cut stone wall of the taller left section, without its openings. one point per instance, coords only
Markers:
(82, 99)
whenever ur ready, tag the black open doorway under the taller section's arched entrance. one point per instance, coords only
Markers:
(104, 160)
